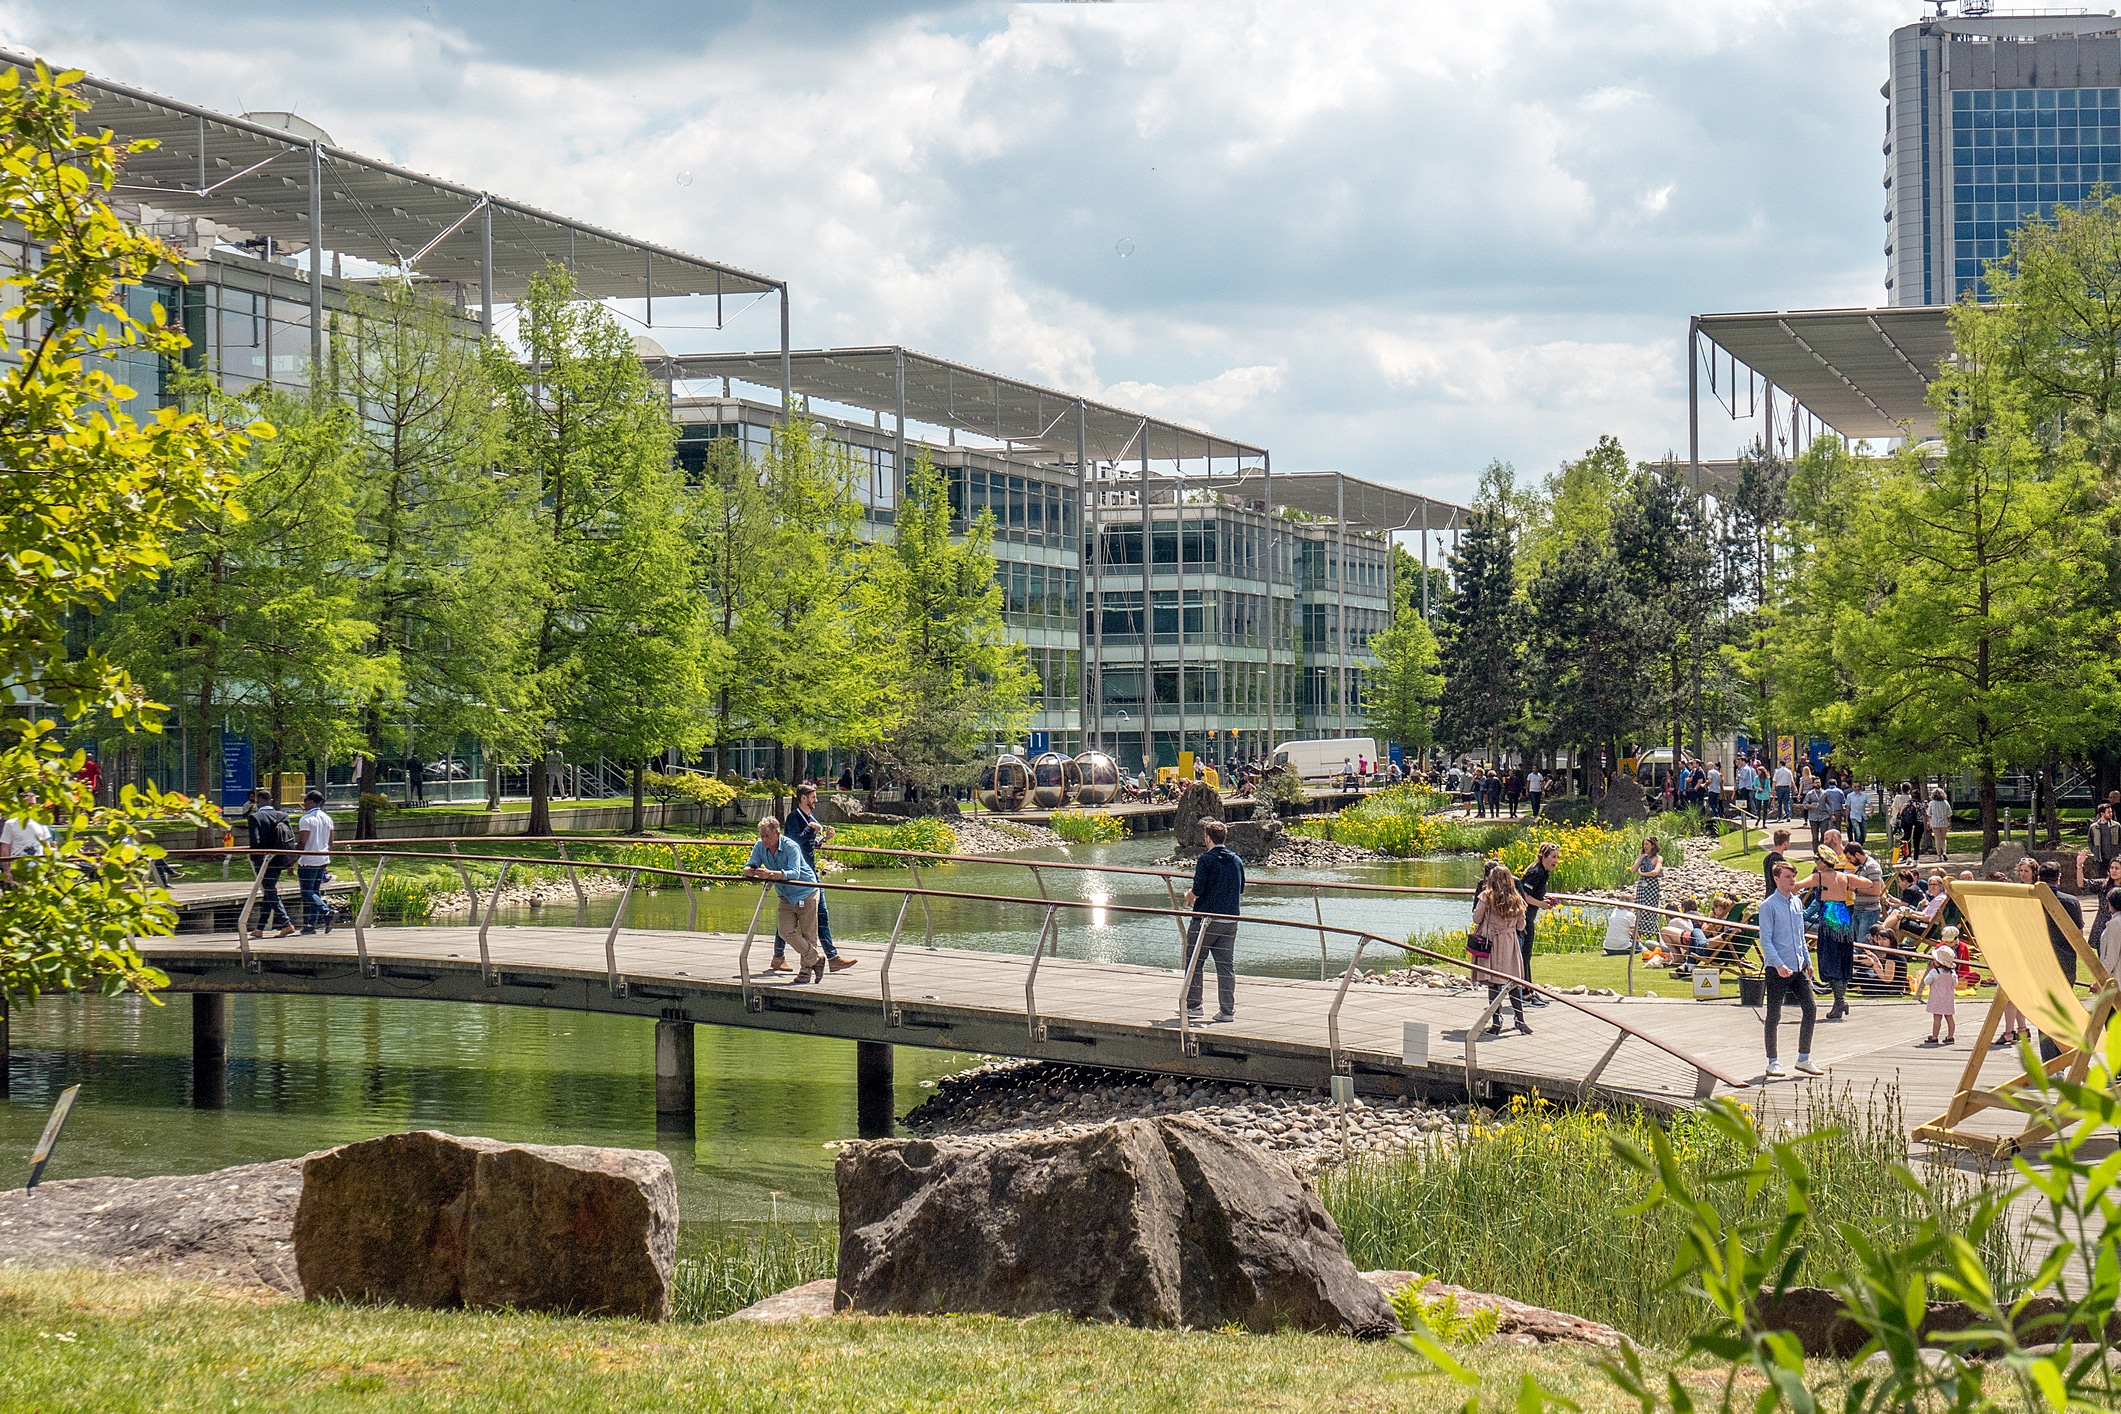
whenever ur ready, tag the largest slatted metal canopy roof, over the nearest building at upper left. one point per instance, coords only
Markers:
(256, 177)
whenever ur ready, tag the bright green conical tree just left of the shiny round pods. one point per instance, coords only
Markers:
(960, 682)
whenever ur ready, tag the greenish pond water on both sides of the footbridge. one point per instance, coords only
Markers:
(306, 1074)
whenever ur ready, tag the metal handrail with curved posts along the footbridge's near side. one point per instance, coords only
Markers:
(1333, 1019)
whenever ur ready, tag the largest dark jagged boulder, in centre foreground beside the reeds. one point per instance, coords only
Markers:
(1142, 1222)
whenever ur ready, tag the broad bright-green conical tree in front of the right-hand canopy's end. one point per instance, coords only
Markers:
(1980, 629)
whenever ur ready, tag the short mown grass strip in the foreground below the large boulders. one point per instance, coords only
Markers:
(86, 1341)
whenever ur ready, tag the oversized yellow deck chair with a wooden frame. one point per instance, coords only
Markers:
(2010, 923)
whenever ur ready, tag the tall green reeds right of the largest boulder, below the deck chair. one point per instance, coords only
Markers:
(1535, 1207)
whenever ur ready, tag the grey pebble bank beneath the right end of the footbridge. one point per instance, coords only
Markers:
(1004, 1101)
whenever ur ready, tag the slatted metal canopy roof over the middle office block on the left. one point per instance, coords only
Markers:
(962, 397)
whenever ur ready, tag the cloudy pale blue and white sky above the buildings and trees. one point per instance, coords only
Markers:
(1399, 241)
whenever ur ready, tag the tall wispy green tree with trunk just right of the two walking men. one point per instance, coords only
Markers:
(444, 565)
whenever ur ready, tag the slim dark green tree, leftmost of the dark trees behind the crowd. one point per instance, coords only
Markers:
(1479, 637)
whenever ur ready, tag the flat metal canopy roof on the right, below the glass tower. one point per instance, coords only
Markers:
(1863, 372)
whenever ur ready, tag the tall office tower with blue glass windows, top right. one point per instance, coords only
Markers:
(1993, 120)
